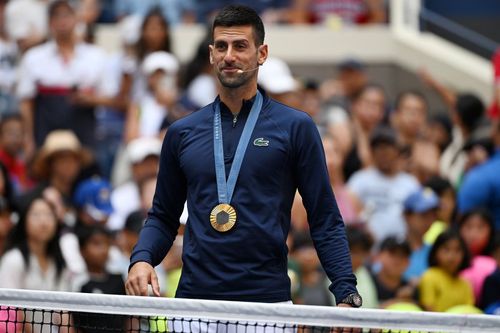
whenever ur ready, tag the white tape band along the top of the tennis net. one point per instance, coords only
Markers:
(249, 312)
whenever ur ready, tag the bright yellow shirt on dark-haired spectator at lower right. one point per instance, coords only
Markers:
(440, 291)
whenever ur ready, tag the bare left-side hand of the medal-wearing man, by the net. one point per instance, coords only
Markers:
(140, 276)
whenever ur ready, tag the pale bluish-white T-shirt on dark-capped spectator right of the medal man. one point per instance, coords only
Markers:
(382, 198)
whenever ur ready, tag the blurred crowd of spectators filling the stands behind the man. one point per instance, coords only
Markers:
(81, 134)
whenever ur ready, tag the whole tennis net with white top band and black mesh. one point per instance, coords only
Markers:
(40, 311)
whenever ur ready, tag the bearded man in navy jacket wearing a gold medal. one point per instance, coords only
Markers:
(234, 242)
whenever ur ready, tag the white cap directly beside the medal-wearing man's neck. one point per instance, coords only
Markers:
(275, 77)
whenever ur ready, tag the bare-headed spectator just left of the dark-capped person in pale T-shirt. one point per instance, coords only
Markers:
(367, 113)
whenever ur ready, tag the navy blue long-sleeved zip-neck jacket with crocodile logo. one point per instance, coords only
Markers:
(249, 262)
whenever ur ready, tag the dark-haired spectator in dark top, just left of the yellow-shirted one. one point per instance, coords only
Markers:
(392, 261)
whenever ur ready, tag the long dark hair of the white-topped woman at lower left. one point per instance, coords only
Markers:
(19, 238)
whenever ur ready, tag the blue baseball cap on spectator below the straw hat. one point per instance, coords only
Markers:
(94, 196)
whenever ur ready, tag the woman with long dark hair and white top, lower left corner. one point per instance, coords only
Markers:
(33, 259)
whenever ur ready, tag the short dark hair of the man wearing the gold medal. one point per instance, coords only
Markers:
(239, 15)
